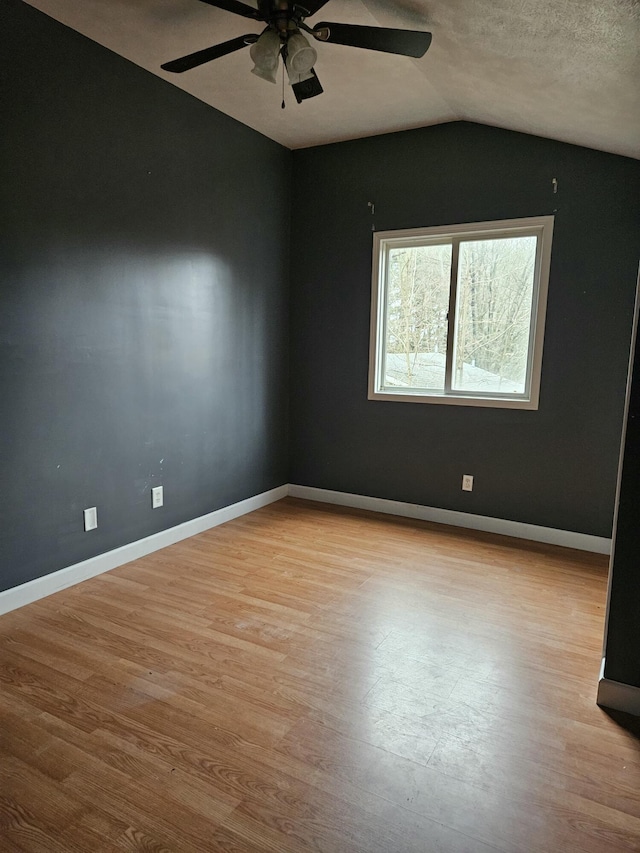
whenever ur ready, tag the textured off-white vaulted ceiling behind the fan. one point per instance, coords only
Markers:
(565, 69)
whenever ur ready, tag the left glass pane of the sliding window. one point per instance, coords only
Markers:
(416, 322)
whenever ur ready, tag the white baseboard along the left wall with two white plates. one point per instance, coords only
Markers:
(33, 590)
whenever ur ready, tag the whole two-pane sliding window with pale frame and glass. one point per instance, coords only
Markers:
(458, 313)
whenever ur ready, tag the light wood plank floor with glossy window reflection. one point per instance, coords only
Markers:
(308, 678)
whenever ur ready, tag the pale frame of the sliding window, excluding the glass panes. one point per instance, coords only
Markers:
(383, 241)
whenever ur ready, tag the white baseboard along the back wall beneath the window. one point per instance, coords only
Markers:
(520, 530)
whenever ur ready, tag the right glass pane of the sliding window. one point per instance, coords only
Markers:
(493, 315)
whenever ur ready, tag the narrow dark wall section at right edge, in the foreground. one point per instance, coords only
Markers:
(622, 643)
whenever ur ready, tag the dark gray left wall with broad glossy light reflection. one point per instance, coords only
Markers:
(143, 301)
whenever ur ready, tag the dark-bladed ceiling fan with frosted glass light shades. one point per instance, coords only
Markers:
(282, 38)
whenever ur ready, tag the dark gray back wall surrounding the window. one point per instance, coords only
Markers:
(554, 467)
